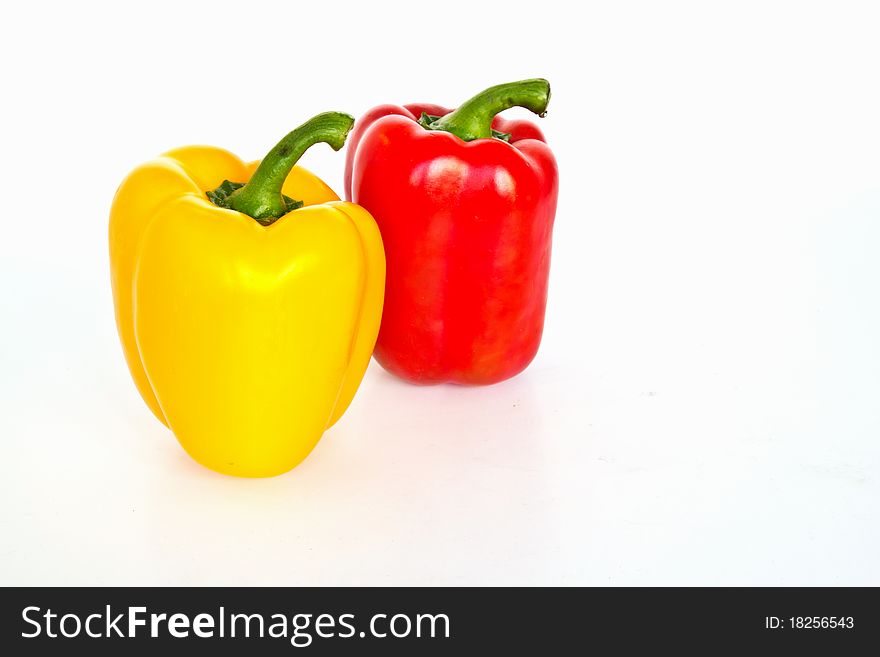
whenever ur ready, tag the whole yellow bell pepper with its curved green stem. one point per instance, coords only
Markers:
(247, 323)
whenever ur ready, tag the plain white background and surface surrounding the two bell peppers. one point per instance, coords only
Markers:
(704, 407)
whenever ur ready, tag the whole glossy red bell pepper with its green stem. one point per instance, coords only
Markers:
(465, 202)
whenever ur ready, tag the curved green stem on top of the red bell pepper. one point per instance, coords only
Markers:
(473, 119)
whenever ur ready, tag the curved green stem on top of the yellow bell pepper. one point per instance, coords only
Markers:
(261, 197)
